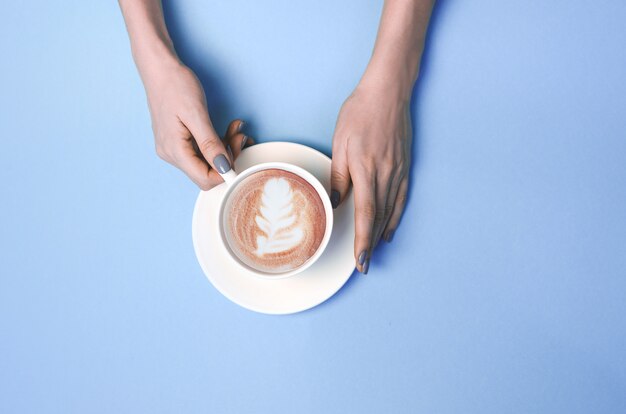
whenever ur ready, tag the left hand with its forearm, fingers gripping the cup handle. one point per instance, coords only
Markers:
(183, 132)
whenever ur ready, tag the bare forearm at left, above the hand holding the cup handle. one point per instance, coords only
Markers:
(150, 42)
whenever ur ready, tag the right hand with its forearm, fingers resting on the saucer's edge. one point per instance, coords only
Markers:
(372, 140)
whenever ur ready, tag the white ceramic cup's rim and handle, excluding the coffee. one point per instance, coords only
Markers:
(232, 179)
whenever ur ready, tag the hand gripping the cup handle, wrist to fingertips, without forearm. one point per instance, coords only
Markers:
(183, 132)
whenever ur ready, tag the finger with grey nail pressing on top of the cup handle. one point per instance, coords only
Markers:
(209, 143)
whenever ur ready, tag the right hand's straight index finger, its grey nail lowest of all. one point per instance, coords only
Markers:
(364, 215)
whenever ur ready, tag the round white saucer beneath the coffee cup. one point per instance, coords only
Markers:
(282, 296)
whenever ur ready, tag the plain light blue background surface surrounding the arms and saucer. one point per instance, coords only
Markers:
(503, 290)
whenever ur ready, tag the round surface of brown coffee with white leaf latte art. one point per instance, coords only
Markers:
(274, 221)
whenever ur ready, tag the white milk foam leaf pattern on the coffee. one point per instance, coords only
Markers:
(276, 218)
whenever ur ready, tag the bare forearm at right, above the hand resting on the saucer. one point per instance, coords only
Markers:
(395, 61)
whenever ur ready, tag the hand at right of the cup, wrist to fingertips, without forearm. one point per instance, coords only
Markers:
(372, 149)
